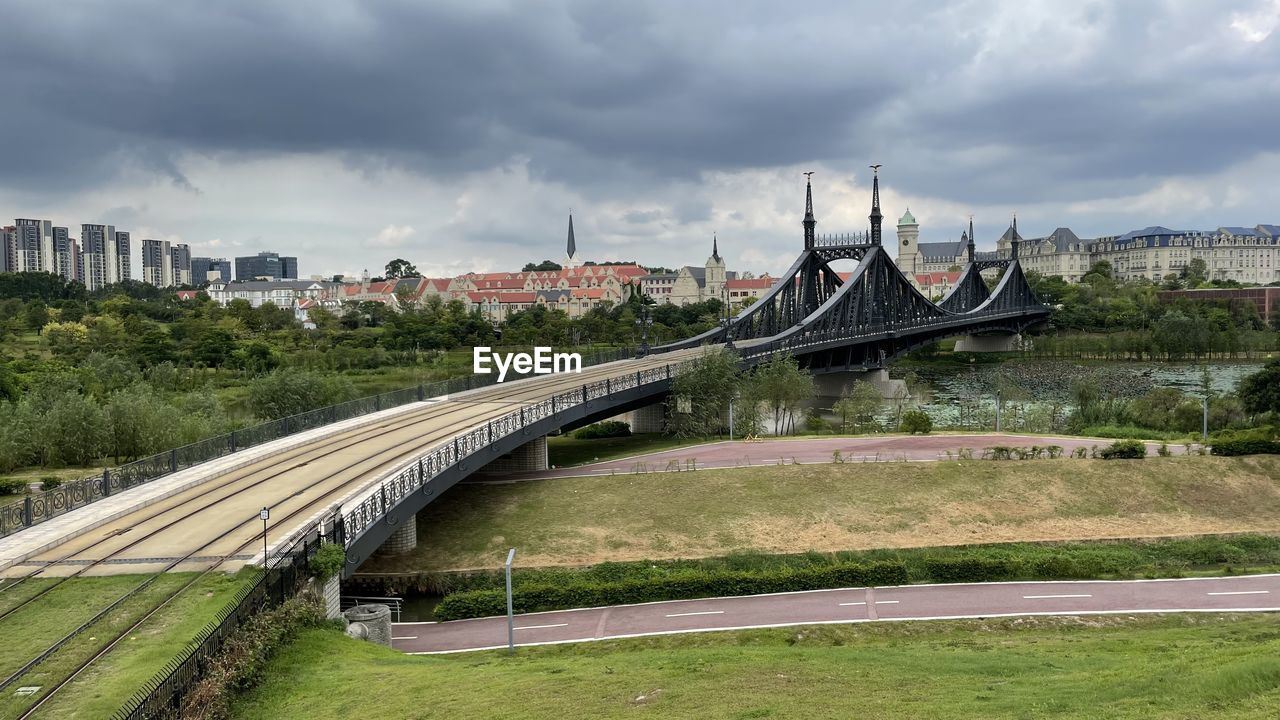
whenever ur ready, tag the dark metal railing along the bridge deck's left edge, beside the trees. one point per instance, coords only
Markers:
(43, 507)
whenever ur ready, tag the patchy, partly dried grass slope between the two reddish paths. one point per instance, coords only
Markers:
(831, 508)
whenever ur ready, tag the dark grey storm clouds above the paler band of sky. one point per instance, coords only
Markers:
(614, 97)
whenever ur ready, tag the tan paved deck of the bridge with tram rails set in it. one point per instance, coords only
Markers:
(220, 518)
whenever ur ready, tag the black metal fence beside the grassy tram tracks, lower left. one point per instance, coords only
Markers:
(163, 696)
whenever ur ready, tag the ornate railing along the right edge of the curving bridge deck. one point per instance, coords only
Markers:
(418, 473)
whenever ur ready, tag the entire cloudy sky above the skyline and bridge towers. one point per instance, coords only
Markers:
(460, 134)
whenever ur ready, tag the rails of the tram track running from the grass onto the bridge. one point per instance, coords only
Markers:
(440, 421)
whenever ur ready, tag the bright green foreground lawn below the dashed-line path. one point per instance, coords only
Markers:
(1187, 667)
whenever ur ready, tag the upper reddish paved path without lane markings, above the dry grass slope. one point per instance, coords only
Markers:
(785, 452)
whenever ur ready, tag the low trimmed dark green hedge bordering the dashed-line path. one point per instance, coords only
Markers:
(679, 586)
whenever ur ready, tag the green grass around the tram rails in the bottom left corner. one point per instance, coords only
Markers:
(108, 683)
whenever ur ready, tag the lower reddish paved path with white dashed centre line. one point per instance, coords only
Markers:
(851, 605)
